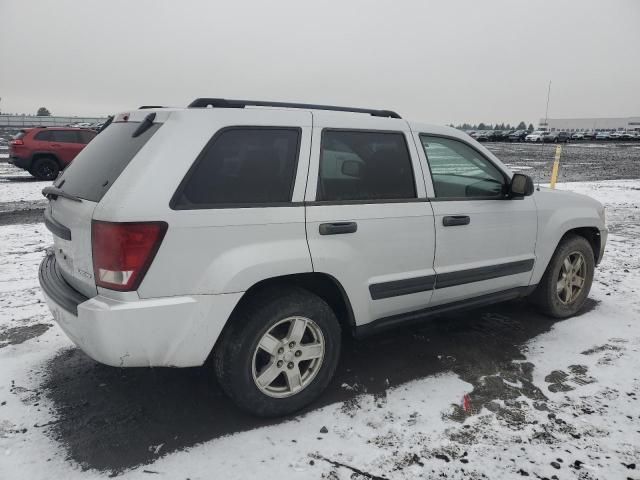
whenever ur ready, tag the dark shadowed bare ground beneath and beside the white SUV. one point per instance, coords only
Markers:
(111, 419)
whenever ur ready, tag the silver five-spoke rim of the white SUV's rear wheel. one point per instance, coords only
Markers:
(288, 357)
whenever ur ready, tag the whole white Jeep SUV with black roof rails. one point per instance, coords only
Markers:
(261, 234)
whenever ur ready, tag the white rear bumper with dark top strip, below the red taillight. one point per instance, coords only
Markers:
(167, 332)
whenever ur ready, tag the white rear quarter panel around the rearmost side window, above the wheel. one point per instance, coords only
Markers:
(210, 251)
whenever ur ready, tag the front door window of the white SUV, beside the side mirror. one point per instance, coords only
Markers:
(457, 170)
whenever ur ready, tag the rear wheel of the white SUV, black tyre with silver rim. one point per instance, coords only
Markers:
(279, 352)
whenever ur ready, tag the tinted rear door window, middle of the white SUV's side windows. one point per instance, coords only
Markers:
(358, 165)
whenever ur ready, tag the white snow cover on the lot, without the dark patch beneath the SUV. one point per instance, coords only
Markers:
(569, 408)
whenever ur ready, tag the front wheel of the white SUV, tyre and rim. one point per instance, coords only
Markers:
(565, 285)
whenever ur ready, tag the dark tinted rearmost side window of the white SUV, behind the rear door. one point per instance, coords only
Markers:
(242, 166)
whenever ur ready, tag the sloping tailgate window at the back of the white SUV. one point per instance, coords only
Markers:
(101, 162)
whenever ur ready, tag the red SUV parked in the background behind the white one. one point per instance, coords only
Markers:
(45, 151)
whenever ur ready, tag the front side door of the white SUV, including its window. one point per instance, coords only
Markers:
(485, 241)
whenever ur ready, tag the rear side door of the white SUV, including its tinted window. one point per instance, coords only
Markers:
(369, 224)
